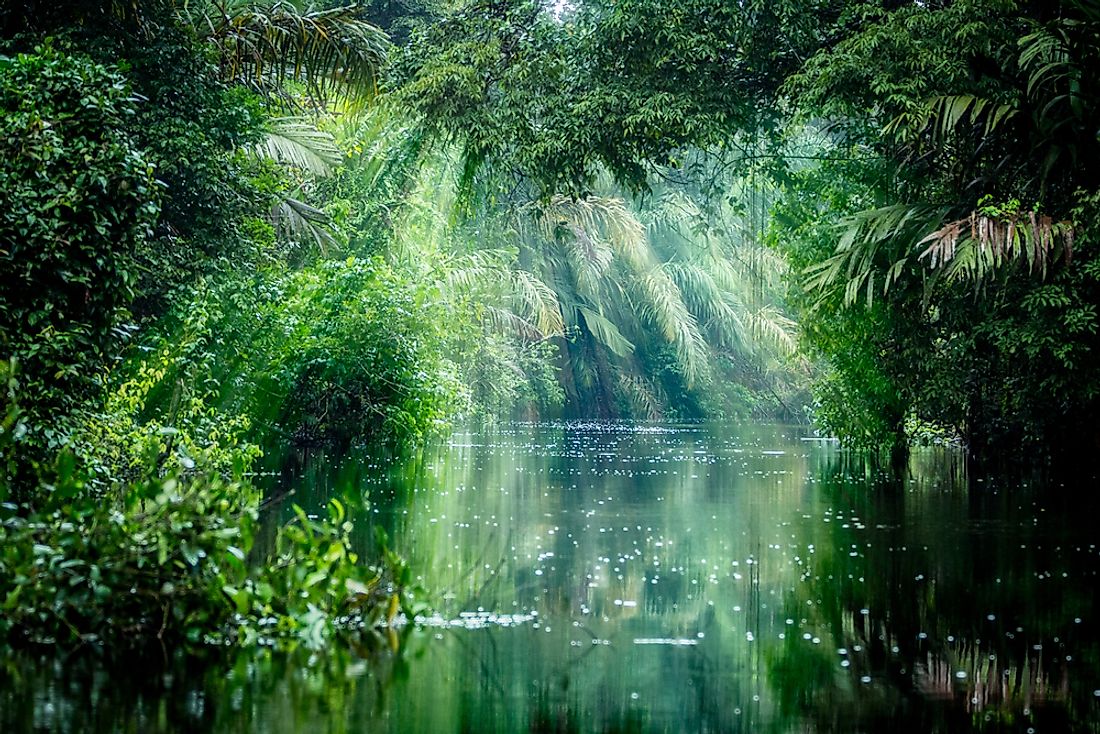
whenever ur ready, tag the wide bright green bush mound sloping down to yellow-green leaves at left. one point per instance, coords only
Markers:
(346, 352)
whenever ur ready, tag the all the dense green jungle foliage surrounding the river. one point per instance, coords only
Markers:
(233, 226)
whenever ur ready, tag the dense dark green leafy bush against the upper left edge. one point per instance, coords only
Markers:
(78, 203)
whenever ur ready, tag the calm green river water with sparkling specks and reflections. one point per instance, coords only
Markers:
(642, 578)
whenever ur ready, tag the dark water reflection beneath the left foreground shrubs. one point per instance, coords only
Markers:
(216, 691)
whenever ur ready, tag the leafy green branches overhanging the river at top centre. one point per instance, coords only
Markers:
(558, 97)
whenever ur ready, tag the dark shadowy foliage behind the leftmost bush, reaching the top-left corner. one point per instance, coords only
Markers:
(189, 122)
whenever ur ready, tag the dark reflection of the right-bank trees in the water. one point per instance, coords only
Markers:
(970, 610)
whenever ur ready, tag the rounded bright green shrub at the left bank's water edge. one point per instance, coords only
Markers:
(357, 353)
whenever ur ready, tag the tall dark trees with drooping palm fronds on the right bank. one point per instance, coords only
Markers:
(974, 250)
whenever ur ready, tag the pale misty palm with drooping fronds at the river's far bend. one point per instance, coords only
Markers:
(650, 306)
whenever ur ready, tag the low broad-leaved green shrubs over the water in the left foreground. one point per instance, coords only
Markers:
(175, 558)
